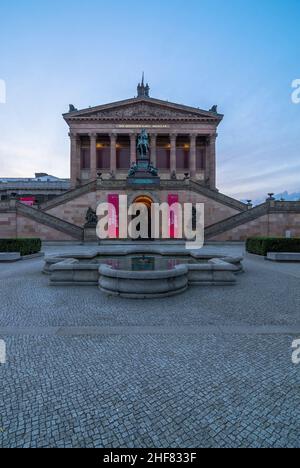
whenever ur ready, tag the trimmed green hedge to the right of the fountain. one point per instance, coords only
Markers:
(263, 245)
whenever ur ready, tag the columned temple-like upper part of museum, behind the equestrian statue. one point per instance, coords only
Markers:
(183, 139)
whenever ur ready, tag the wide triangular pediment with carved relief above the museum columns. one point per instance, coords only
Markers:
(143, 109)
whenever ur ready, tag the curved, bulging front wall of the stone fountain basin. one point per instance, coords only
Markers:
(143, 284)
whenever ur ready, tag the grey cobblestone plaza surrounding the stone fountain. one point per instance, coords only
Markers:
(210, 368)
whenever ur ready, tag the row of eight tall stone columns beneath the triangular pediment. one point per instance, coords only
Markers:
(210, 162)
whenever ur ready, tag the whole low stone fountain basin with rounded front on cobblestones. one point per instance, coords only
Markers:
(142, 273)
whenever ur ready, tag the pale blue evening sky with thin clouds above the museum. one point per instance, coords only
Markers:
(242, 55)
